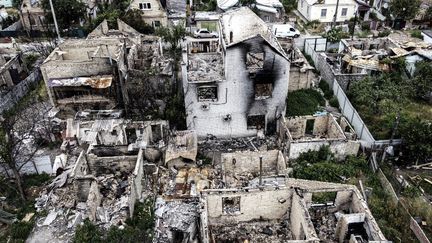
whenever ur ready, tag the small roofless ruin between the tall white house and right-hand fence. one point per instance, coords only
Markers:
(305, 133)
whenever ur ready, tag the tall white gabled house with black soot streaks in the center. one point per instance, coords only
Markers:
(236, 85)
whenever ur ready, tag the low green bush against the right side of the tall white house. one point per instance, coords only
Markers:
(304, 102)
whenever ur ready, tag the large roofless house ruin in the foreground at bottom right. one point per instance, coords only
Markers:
(293, 212)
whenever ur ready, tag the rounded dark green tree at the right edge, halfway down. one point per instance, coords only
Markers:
(417, 140)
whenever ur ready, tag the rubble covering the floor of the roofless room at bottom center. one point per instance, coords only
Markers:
(262, 231)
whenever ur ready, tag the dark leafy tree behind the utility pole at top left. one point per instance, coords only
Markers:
(68, 12)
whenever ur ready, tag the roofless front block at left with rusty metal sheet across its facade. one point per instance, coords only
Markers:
(85, 74)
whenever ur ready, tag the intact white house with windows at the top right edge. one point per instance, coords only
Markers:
(324, 10)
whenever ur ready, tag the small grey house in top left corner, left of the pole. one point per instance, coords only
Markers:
(32, 16)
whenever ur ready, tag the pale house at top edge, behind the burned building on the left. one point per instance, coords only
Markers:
(152, 11)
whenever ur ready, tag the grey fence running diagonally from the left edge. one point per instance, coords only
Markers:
(8, 100)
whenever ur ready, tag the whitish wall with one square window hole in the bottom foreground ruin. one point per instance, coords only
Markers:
(253, 205)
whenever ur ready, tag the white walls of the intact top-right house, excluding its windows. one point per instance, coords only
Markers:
(314, 12)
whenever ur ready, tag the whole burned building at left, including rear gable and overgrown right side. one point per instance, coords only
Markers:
(102, 71)
